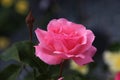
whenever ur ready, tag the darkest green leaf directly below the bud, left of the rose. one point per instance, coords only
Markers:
(25, 51)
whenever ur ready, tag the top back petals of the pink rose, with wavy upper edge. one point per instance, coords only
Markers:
(65, 26)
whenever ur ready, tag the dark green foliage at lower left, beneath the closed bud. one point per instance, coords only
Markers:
(24, 64)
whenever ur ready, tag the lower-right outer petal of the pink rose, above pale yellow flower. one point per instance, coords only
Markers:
(86, 57)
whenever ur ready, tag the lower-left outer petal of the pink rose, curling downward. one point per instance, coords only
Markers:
(47, 56)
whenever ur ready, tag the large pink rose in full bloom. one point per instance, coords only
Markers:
(65, 40)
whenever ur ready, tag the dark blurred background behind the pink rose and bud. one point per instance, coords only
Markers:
(101, 16)
